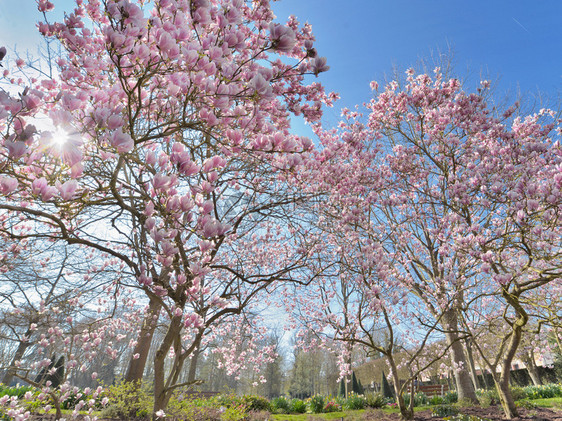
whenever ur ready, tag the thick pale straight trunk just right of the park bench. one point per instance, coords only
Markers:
(463, 382)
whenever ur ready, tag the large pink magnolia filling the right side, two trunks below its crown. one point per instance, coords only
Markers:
(462, 201)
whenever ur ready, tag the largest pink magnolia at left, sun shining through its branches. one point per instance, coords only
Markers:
(169, 153)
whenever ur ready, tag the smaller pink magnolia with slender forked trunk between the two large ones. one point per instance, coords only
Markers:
(362, 304)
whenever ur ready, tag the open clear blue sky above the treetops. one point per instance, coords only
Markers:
(519, 42)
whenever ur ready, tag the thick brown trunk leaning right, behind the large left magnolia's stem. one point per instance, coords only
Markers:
(135, 370)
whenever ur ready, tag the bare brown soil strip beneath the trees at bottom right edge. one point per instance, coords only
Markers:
(493, 413)
